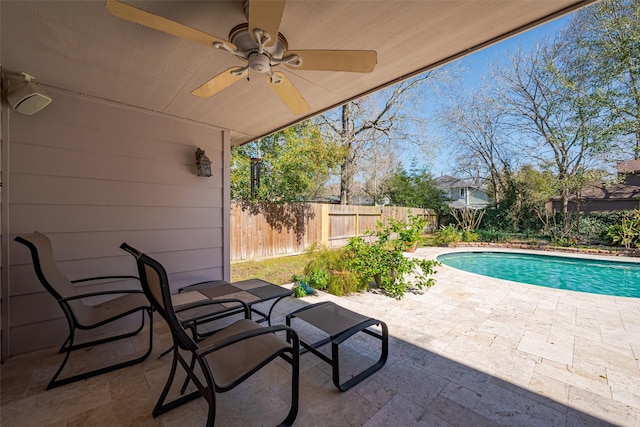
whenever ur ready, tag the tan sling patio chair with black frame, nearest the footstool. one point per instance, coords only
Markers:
(226, 358)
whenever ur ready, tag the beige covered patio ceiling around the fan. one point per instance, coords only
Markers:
(81, 47)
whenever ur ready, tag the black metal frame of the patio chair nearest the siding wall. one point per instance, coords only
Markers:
(68, 346)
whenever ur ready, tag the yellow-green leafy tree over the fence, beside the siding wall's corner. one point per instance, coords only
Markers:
(294, 165)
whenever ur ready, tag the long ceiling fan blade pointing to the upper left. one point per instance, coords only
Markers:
(148, 19)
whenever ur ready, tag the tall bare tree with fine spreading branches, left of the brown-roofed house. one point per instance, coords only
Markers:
(547, 101)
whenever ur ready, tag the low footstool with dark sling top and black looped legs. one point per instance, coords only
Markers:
(340, 324)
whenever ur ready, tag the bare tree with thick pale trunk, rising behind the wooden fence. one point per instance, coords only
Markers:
(380, 123)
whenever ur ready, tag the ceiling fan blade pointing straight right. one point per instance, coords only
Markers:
(355, 61)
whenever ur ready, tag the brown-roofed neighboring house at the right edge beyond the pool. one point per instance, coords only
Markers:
(624, 195)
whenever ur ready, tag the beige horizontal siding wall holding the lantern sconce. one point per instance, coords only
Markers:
(92, 174)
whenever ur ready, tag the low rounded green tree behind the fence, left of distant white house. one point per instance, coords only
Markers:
(415, 189)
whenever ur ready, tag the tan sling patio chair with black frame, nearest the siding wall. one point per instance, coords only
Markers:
(80, 315)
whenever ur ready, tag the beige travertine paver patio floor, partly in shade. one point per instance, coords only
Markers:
(472, 351)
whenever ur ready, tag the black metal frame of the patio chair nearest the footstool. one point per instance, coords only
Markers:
(182, 341)
